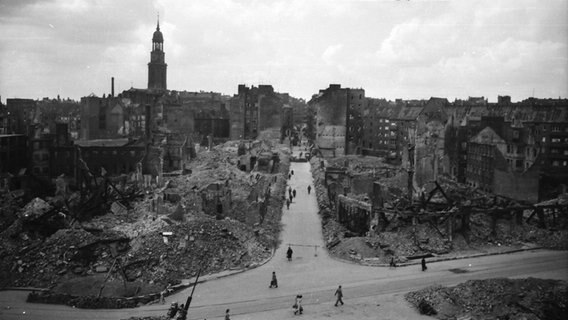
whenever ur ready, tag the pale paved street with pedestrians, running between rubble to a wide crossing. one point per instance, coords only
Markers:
(315, 275)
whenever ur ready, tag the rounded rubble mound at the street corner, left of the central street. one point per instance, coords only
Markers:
(214, 245)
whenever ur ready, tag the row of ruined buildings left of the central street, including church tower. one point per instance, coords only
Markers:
(137, 132)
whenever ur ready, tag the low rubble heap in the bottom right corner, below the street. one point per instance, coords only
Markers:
(499, 298)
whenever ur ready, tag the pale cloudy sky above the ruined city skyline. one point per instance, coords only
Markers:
(392, 49)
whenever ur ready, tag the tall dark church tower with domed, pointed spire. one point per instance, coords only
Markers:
(157, 66)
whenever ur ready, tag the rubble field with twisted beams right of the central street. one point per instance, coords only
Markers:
(402, 238)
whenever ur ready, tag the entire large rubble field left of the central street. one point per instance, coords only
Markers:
(163, 236)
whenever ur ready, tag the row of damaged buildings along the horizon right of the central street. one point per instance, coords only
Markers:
(513, 149)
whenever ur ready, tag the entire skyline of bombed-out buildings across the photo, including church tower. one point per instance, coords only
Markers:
(514, 149)
